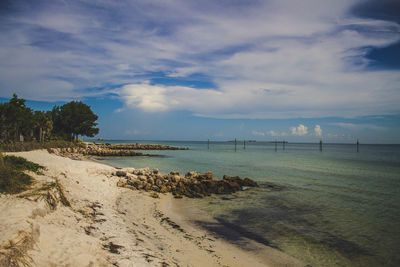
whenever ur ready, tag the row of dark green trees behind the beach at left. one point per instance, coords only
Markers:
(20, 123)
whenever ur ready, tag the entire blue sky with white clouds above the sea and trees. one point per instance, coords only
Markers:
(299, 71)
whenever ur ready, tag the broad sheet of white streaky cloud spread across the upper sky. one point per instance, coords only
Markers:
(276, 61)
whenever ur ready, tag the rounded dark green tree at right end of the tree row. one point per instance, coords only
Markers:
(73, 119)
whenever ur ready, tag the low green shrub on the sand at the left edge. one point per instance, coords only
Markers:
(13, 179)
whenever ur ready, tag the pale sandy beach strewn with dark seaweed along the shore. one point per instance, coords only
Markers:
(106, 225)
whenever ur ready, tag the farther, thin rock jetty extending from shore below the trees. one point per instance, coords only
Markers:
(109, 150)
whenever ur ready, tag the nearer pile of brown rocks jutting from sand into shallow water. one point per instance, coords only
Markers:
(191, 185)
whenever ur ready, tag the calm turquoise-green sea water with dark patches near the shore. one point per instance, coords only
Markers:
(335, 207)
